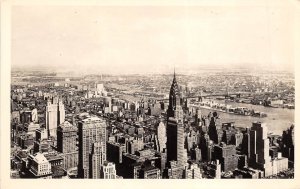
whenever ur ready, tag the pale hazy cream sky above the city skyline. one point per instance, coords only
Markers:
(151, 38)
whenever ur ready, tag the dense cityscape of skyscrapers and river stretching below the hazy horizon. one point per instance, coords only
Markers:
(214, 125)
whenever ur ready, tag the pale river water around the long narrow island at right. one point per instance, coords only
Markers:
(278, 119)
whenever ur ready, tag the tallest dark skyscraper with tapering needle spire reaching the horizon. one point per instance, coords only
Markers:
(175, 129)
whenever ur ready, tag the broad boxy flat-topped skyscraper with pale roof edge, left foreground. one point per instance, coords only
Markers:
(91, 130)
